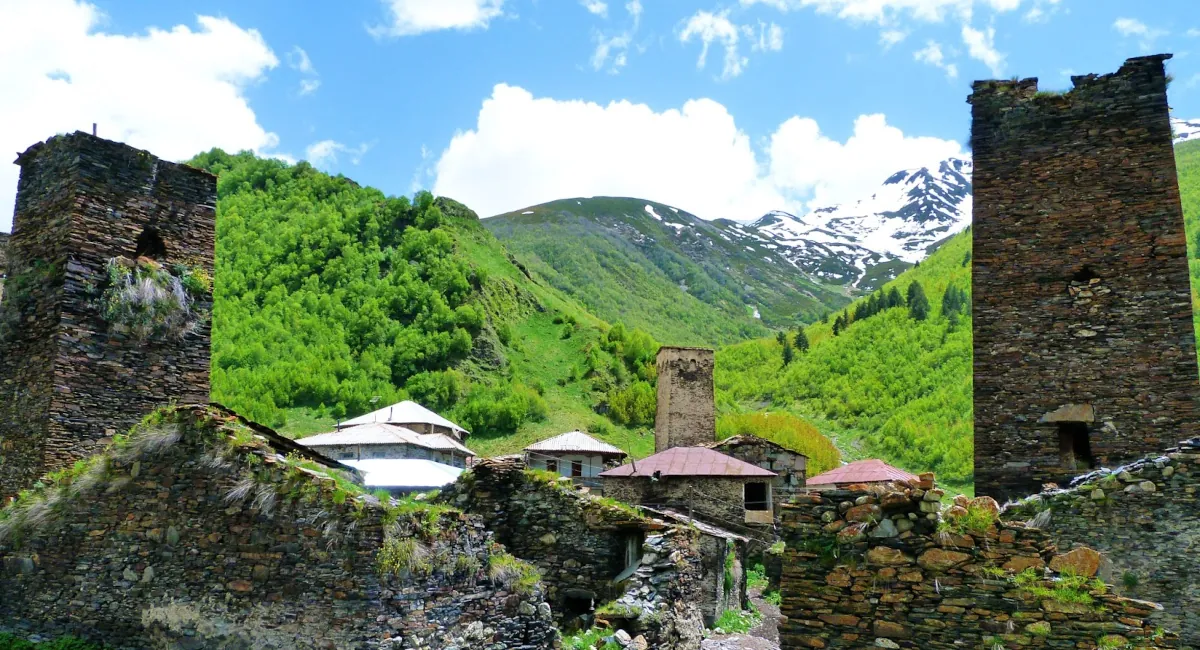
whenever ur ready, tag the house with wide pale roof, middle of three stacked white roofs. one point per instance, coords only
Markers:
(367, 442)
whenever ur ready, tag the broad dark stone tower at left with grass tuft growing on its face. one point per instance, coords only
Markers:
(81, 359)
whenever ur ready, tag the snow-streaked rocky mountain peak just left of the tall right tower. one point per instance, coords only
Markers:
(874, 238)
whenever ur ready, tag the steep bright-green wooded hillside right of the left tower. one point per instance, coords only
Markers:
(332, 298)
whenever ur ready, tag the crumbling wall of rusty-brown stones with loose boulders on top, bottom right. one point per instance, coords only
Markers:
(884, 569)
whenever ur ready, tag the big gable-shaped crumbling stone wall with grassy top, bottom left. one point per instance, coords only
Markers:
(196, 533)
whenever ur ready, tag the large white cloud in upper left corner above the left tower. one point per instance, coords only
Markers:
(176, 93)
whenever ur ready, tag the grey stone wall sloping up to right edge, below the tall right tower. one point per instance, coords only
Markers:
(1147, 520)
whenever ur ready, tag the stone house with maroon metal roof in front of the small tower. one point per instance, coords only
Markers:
(700, 483)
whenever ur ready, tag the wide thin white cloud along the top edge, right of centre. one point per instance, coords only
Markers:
(889, 11)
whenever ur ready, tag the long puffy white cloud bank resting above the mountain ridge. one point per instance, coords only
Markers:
(527, 151)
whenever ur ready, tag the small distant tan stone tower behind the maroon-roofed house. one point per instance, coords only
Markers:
(686, 412)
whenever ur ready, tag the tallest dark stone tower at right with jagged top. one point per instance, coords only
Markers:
(1084, 344)
